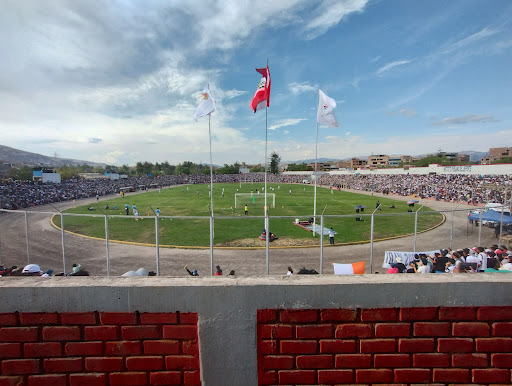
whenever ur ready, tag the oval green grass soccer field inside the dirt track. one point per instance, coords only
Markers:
(241, 230)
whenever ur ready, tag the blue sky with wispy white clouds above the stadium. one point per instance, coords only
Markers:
(118, 81)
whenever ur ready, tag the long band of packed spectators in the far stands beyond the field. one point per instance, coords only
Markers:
(461, 188)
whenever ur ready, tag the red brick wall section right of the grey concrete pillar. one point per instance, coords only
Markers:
(437, 345)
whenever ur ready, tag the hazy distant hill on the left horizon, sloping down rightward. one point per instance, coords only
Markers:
(15, 156)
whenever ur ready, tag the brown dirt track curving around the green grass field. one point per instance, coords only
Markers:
(46, 248)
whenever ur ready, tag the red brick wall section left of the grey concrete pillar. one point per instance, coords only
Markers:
(99, 348)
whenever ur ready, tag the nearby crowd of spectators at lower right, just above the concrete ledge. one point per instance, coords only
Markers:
(496, 259)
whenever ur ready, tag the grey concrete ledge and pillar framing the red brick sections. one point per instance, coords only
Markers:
(227, 306)
